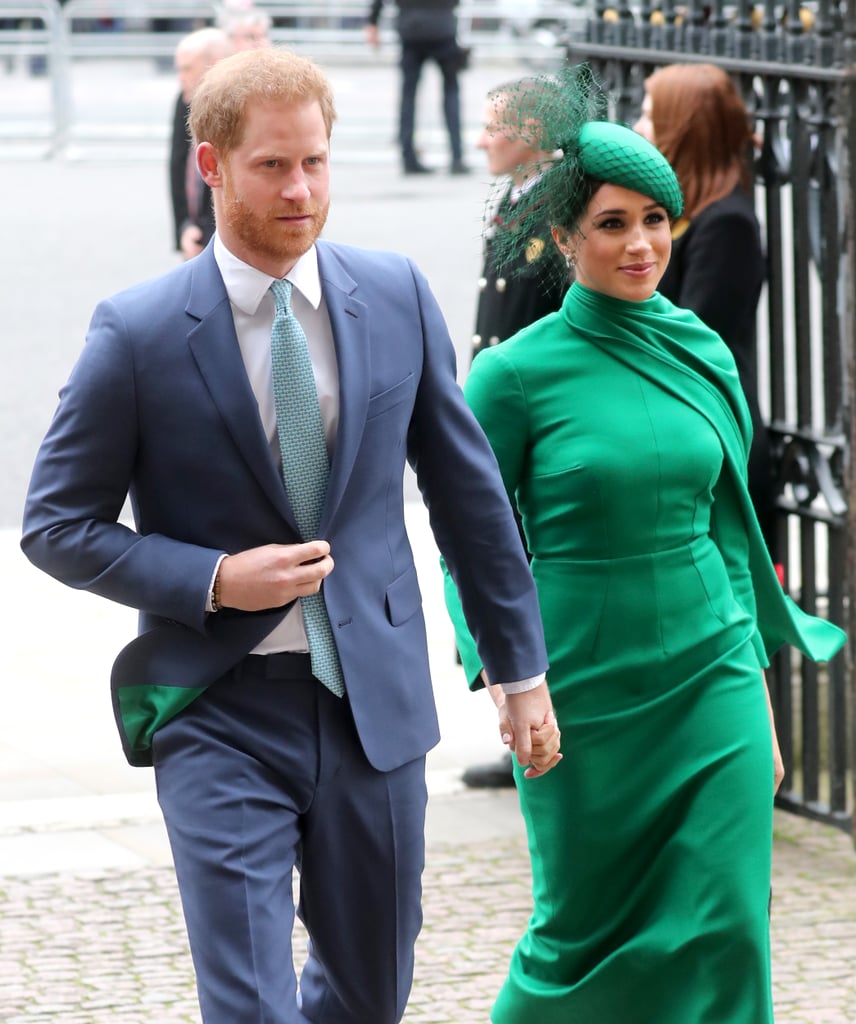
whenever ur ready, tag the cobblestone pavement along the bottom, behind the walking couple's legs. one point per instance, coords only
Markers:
(107, 947)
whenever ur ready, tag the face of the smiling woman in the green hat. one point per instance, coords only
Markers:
(622, 246)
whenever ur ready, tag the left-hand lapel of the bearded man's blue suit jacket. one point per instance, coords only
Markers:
(218, 355)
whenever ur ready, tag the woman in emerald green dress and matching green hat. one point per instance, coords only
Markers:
(622, 435)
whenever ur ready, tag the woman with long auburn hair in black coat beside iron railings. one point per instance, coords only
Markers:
(696, 117)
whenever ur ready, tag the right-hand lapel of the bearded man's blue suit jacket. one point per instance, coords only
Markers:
(350, 321)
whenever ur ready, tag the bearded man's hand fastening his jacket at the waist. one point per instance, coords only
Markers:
(274, 575)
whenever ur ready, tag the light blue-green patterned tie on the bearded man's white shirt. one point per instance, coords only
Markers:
(306, 465)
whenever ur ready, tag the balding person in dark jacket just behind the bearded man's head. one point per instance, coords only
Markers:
(193, 214)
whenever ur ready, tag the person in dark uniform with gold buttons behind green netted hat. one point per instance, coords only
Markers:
(516, 290)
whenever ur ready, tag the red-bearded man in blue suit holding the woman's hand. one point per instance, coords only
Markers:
(280, 682)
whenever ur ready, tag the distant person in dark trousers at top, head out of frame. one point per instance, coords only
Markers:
(429, 31)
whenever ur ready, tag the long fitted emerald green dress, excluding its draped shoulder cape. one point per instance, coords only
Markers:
(651, 842)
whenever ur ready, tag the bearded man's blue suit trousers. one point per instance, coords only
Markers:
(261, 777)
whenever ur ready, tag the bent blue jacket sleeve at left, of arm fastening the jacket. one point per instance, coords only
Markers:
(79, 485)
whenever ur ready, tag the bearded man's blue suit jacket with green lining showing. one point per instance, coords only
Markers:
(159, 407)
